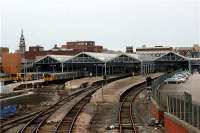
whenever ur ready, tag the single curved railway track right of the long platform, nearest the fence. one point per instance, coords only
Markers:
(126, 117)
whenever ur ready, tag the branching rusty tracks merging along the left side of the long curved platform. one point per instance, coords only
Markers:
(35, 121)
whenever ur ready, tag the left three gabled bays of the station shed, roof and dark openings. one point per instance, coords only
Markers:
(94, 63)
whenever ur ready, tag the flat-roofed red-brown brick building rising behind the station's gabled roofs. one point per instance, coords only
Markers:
(83, 46)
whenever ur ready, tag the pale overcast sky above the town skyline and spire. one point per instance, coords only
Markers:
(111, 23)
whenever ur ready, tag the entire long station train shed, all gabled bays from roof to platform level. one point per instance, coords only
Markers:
(105, 63)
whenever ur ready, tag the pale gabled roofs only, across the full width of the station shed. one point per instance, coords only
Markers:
(92, 57)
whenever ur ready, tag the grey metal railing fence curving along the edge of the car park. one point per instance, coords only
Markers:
(177, 104)
